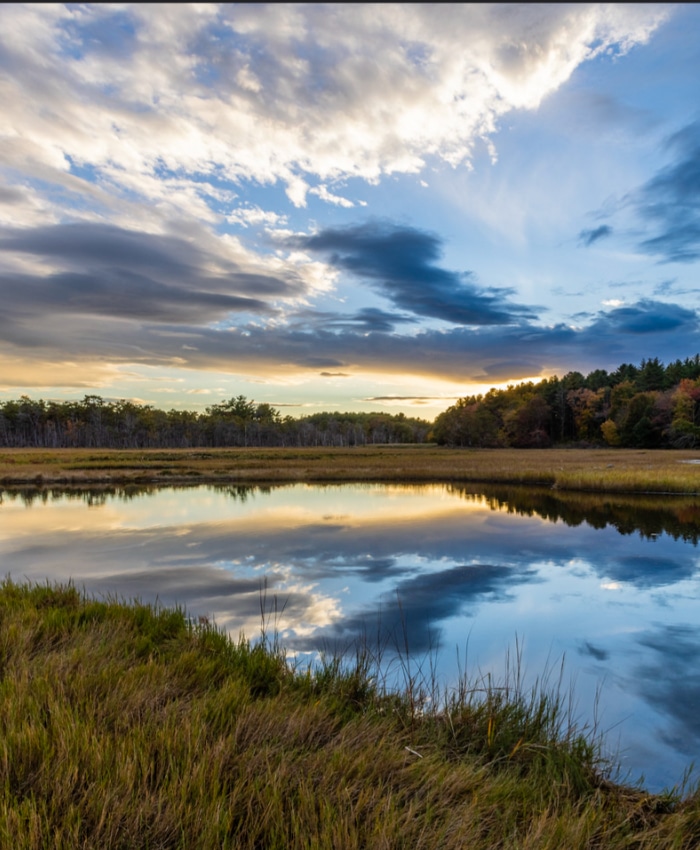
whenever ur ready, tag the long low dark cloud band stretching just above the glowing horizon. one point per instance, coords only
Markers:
(495, 354)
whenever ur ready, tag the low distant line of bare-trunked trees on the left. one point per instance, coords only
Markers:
(98, 423)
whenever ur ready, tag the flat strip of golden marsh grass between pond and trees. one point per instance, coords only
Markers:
(603, 470)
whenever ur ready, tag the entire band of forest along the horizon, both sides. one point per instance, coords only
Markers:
(647, 406)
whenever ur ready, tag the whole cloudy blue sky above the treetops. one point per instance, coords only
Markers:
(343, 207)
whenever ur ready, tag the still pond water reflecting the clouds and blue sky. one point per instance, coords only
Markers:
(611, 587)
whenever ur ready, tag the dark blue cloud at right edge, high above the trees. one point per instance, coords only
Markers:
(670, 201)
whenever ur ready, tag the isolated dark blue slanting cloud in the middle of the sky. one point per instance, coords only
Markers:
(401, 263)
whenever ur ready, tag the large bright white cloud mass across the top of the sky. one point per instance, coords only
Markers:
(162, 103)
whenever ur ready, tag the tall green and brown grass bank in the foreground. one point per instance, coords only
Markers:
(122, 725)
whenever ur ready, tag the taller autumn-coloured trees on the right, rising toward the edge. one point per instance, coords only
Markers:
(645, 406)
